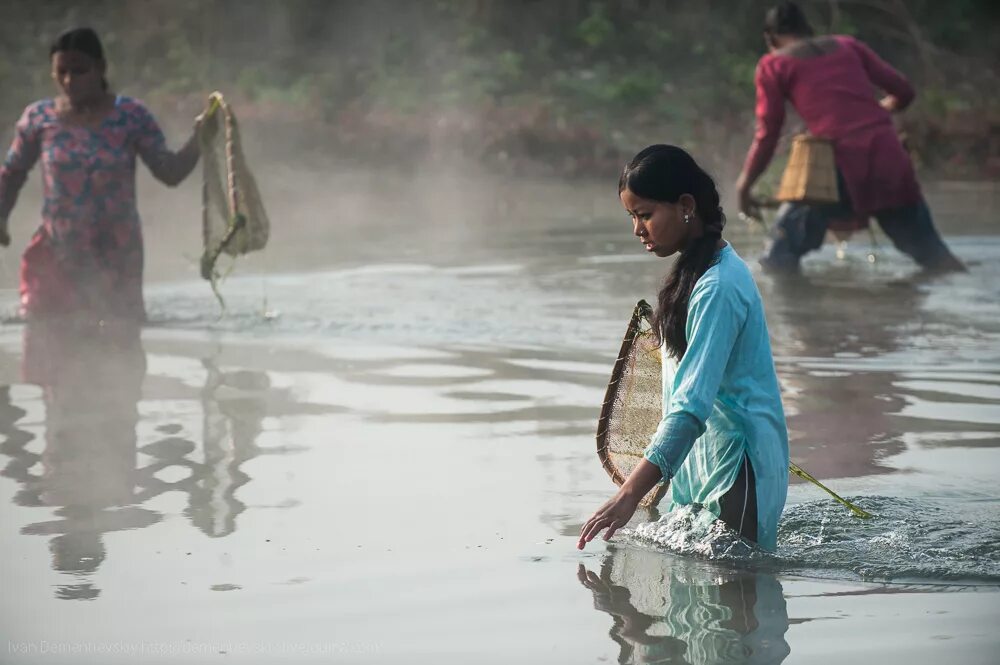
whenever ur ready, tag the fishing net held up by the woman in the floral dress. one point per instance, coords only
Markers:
(234, 221)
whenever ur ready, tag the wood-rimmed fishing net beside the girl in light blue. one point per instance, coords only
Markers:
(633, 403)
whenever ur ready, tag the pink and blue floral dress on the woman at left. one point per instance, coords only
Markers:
(87, 254)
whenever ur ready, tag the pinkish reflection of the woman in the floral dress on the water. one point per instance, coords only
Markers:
(91, 380)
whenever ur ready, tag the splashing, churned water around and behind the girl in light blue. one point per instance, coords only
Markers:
(912, 540)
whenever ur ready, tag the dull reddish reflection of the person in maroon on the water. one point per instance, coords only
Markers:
(840, 422)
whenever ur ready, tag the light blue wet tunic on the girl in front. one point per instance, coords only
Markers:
(722, 401)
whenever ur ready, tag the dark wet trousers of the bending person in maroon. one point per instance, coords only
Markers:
(800, 229)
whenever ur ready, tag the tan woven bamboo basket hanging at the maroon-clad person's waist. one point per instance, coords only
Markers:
(811, 173)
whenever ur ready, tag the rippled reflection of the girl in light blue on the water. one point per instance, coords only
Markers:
(667, 609)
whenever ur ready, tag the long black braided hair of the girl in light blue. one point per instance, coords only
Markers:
(664, 173)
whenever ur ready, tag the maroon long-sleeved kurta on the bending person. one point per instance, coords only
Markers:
(834, 94)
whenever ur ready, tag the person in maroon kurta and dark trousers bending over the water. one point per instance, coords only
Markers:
(831, 83)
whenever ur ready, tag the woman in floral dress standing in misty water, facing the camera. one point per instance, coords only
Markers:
(86, 258)
